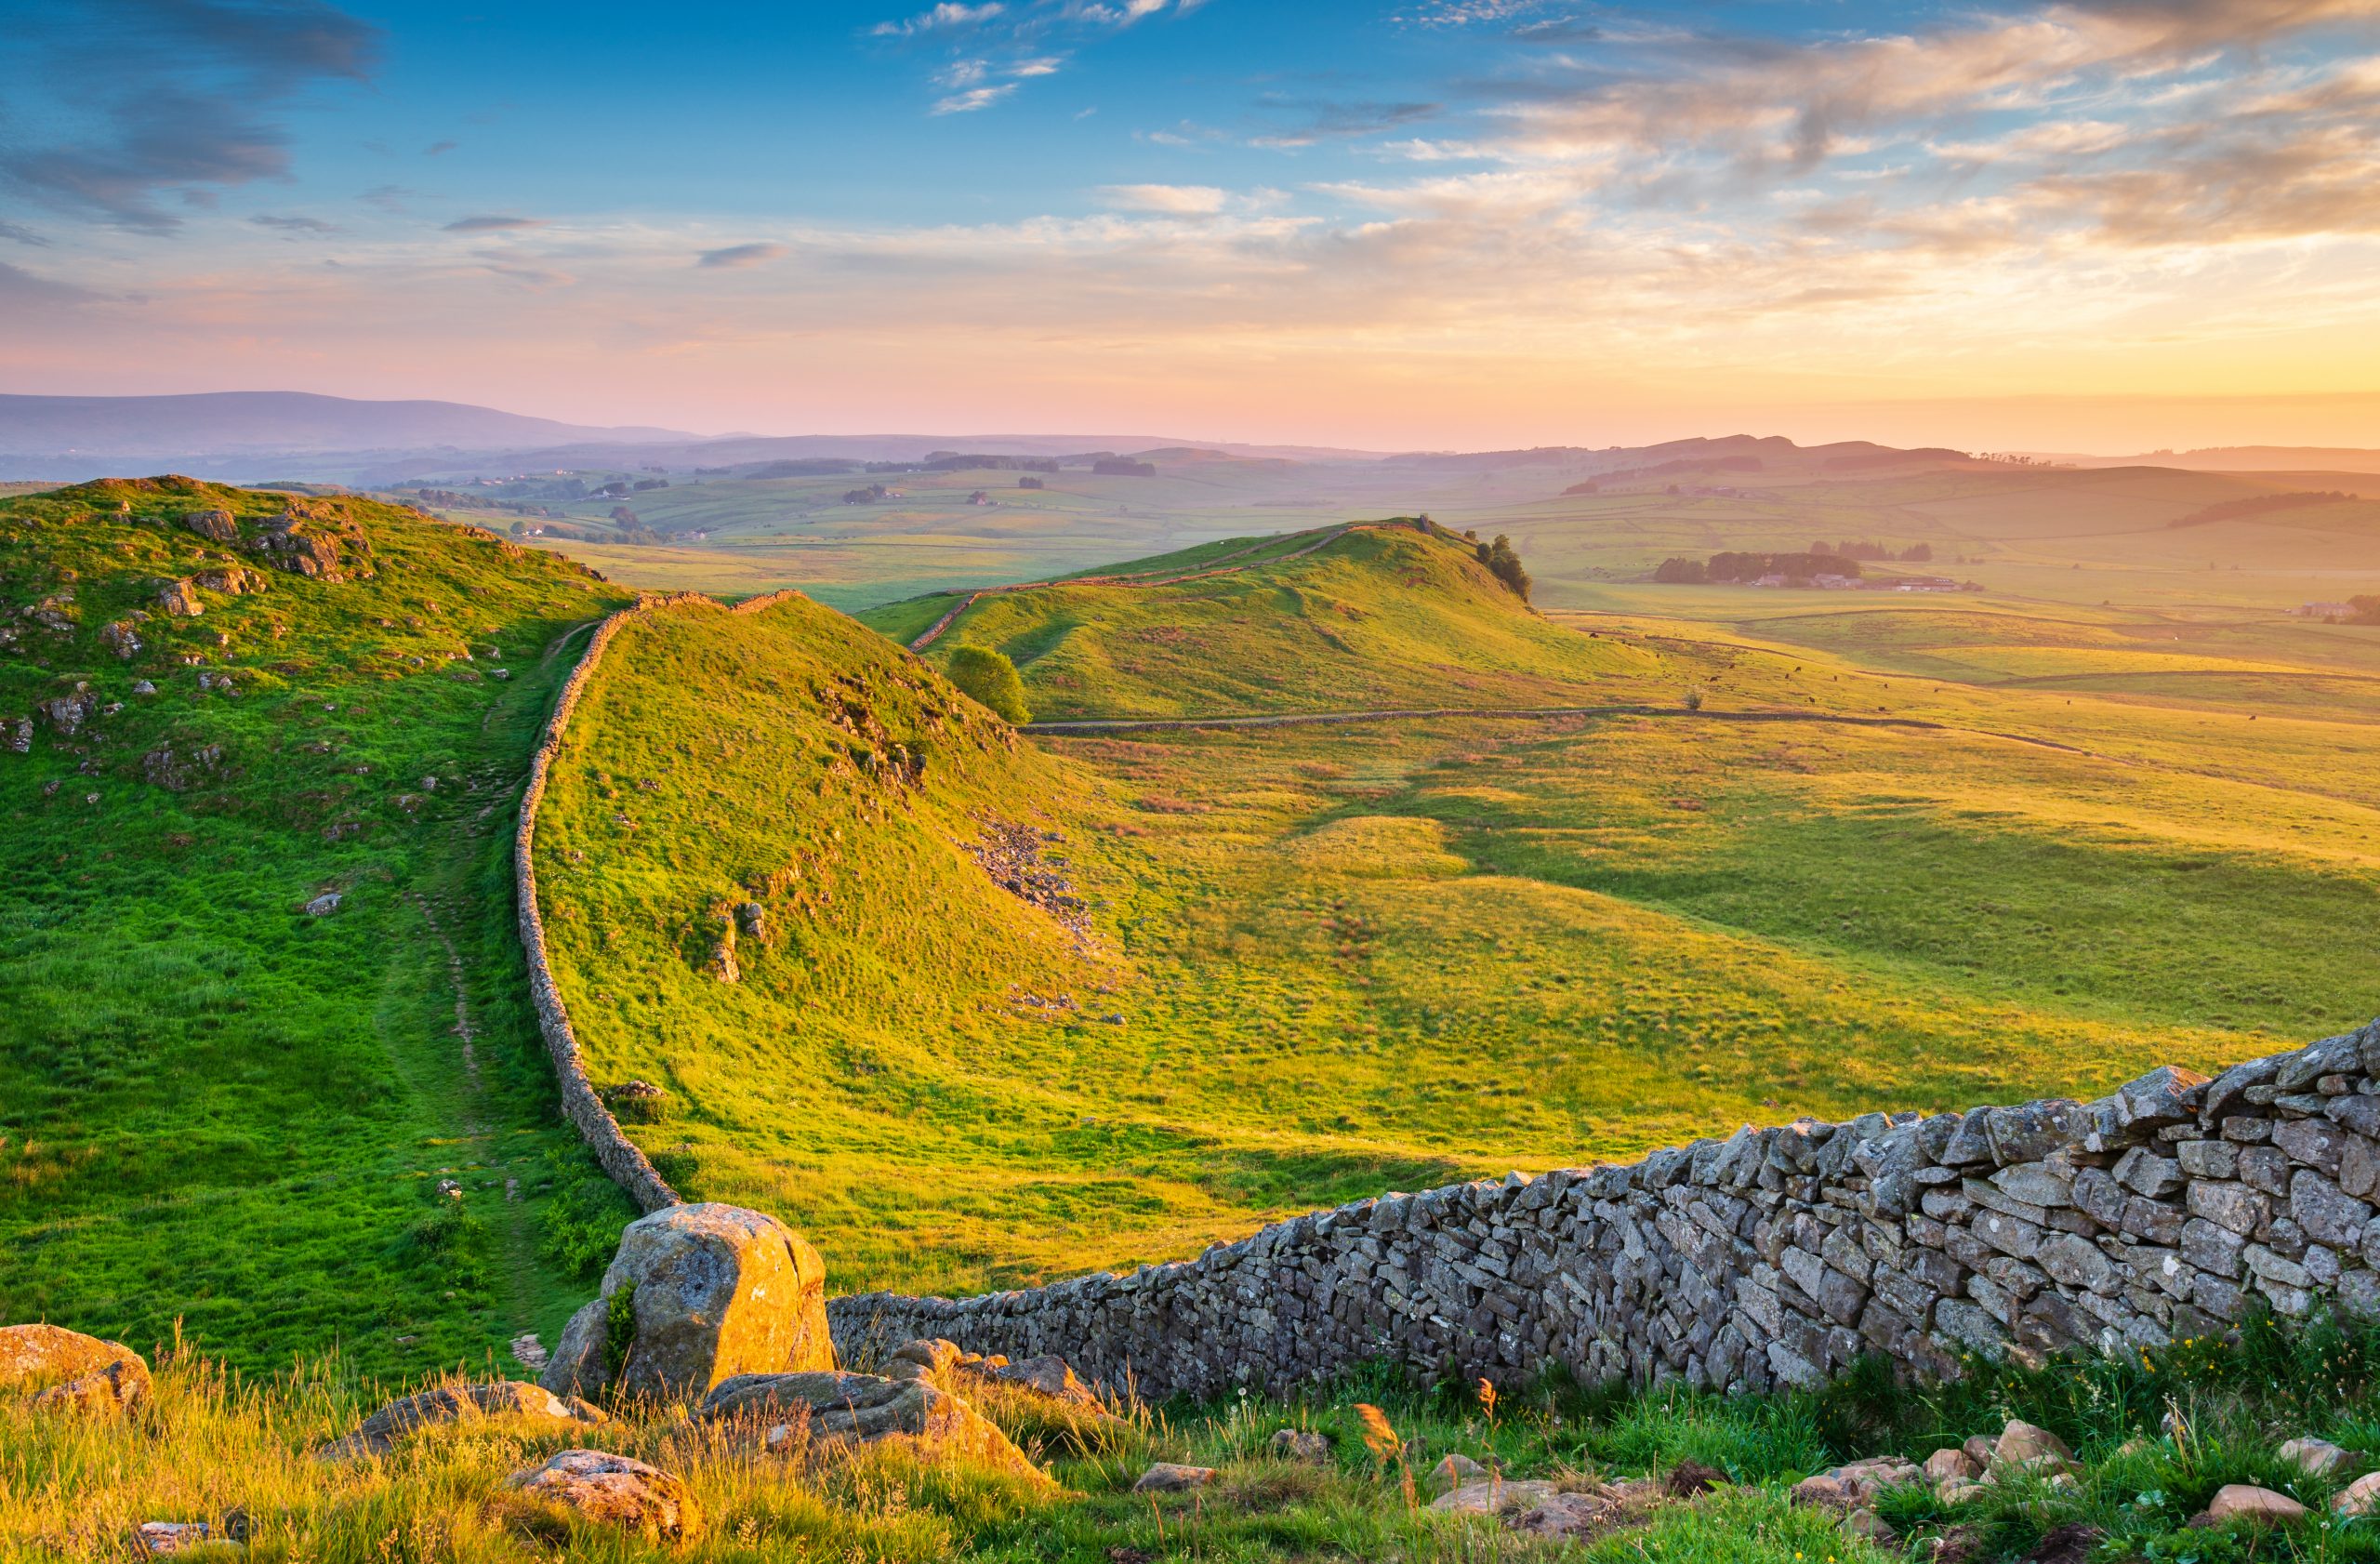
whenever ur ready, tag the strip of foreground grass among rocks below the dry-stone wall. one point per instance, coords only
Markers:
(2155, 1439)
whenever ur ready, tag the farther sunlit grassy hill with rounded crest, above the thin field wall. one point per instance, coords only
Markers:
(1315, 623)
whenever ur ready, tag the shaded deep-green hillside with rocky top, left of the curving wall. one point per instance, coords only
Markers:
(213, 1106)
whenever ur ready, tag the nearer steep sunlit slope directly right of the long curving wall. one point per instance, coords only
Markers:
(803, 887)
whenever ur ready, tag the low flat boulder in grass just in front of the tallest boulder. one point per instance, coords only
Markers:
(865, 1410)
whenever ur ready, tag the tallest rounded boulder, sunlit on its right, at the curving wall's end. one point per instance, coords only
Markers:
(713, 1291)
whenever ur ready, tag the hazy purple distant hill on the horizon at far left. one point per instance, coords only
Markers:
(230, 423)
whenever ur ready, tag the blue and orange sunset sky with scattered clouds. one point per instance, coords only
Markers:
(2098, 225)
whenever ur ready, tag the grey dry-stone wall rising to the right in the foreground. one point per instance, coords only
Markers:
(1772, 1258)
